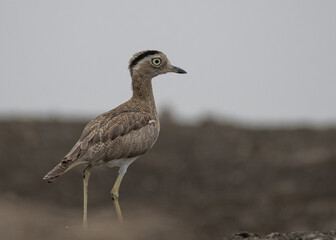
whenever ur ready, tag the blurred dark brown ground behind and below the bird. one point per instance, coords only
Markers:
(205, 181)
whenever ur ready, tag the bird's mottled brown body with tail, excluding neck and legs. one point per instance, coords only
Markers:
(125, 132)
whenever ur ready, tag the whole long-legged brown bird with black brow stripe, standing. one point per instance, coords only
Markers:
(118, 137)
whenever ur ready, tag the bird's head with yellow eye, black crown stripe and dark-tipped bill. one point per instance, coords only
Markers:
(151, 63)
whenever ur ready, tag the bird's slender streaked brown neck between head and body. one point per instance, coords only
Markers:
(143, 93)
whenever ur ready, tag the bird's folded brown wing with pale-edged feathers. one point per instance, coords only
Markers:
(102, 131)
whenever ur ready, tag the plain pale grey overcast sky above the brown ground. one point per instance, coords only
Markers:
(254, 61)
